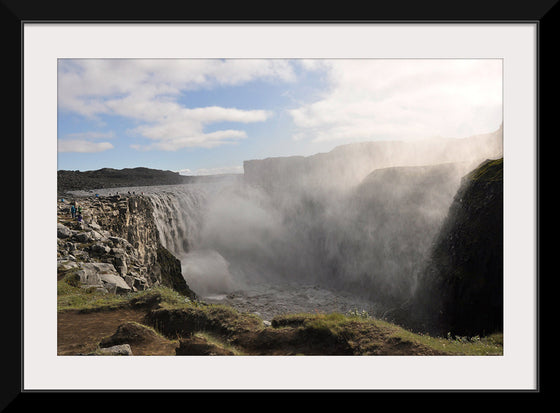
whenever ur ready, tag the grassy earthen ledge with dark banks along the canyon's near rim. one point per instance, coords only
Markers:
(227, 331)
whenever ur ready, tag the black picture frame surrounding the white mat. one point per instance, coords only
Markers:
(16, 13)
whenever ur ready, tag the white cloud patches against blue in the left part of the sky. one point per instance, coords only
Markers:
(147, 91)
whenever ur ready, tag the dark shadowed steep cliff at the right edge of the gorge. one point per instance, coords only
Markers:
(460, 290)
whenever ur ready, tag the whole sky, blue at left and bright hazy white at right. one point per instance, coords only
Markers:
(207, 116)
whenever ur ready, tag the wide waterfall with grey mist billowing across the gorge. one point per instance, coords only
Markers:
(369, 240)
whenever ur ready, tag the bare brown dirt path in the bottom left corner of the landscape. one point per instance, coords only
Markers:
(80, 333)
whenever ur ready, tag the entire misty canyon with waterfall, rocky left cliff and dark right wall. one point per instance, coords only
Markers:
(365, 226)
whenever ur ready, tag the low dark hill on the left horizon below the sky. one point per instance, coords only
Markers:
(116, 178)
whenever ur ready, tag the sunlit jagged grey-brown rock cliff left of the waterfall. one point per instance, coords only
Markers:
(116, 246)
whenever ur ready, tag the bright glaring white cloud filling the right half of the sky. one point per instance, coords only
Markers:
(400, 99)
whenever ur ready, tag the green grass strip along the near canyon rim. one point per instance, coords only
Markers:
(355, 327)
